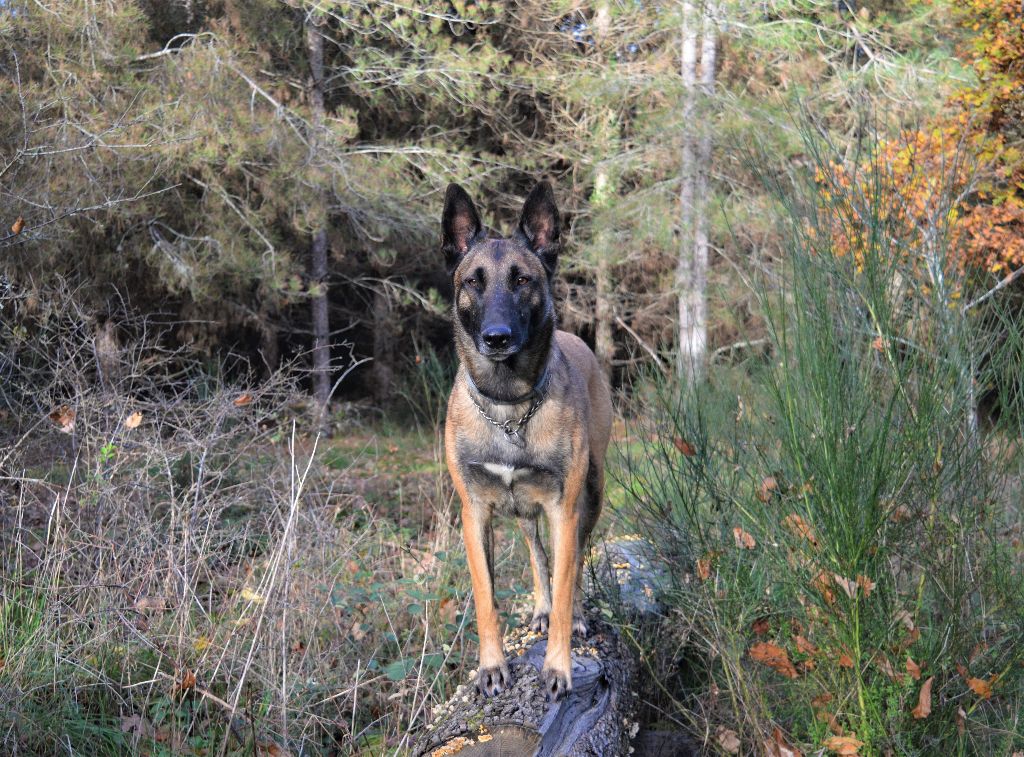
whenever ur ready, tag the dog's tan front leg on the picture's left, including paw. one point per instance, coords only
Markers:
(493, 677)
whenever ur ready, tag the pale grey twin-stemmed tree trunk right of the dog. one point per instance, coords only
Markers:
(692, 272)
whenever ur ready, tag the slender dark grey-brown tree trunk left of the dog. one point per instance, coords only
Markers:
(319, 247)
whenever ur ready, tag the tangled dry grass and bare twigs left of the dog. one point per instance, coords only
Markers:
(211, 580)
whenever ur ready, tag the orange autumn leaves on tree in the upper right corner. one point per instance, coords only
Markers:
(950, 195)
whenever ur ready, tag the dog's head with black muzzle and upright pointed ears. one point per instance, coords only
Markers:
(502, 286)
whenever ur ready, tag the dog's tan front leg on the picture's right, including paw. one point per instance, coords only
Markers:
(565, 521)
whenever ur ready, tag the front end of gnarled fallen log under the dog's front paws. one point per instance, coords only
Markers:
(595, 721)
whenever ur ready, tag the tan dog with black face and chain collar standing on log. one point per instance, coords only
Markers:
(529, 423)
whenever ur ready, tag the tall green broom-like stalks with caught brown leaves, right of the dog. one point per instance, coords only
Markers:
(837, 518)
